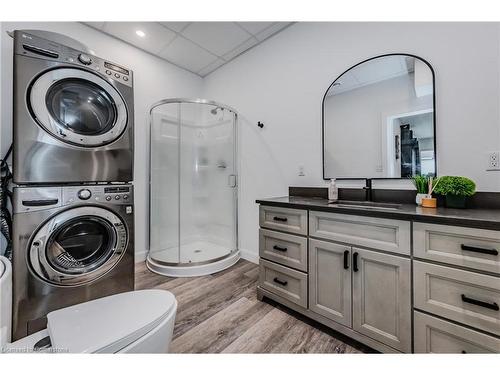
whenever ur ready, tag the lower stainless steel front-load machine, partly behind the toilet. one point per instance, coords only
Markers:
(71, 244)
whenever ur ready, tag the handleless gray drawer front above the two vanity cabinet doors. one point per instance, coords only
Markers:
(383, 234)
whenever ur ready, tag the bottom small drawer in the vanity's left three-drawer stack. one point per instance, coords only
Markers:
(284, 282)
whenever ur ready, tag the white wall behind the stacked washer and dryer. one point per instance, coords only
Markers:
(154, 79)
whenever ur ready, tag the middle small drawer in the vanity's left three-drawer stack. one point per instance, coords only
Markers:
(282, 248)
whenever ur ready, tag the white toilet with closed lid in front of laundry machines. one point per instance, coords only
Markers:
(132, 322)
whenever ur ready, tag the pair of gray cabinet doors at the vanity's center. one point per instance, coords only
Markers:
(362, 289)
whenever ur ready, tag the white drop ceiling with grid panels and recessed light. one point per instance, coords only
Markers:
(199, 47)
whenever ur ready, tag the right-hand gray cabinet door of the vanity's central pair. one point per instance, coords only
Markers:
(381, 297)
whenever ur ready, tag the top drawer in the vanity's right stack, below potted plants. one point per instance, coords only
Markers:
(468, 247)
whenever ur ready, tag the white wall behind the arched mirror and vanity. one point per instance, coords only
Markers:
(282, 82)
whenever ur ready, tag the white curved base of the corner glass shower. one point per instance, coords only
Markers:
(196, 259)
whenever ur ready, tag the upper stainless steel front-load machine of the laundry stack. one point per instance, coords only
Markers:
(73, 115)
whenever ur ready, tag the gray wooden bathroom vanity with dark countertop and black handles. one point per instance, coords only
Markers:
(397, 278)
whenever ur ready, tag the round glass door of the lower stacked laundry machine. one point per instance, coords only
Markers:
(78, 246)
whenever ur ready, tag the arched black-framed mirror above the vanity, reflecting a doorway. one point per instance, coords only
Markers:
(378, 120)
